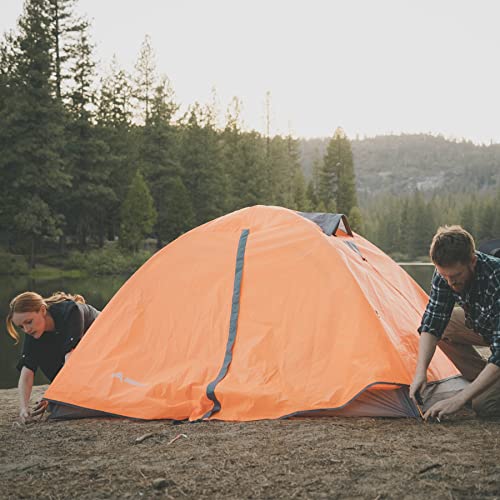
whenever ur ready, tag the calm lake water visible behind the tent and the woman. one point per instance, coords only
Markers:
(97, 291)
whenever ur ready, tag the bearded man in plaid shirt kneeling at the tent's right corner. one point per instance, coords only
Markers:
(472, 280)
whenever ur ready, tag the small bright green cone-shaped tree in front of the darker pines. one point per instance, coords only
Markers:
(138, 214)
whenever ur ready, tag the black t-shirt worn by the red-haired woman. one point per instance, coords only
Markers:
(72, 320)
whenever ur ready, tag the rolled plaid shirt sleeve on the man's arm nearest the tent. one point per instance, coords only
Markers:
(439, 308)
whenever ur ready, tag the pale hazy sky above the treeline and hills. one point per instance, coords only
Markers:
(370, 66)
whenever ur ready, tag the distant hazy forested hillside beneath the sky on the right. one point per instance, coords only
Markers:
(402, 163)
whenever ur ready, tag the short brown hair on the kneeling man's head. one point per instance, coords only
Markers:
(452, 245)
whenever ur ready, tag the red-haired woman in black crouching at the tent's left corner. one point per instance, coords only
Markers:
(53, 328)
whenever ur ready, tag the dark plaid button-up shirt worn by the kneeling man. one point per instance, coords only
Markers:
(481, 304)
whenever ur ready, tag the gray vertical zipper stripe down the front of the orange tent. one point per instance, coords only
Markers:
(233, 324)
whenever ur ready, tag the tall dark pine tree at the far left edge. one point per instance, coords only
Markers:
(32, 124)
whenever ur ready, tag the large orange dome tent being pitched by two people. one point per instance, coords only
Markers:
(260, 314)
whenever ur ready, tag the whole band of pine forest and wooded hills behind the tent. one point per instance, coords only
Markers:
(71, 151)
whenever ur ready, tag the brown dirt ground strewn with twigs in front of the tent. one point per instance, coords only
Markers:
(307, 458)
